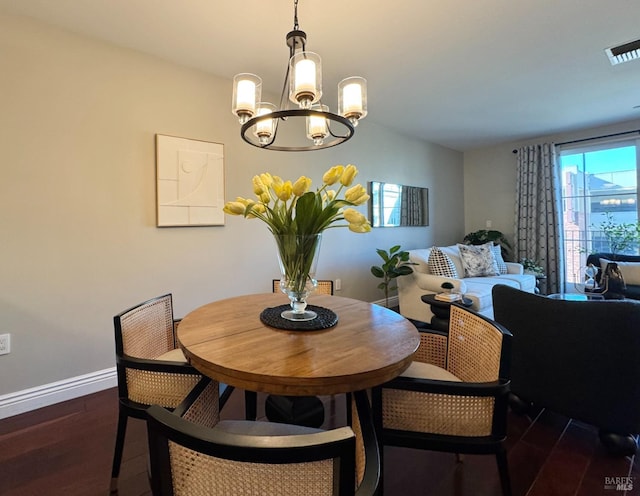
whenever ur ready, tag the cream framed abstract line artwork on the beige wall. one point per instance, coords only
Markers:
(190, 182)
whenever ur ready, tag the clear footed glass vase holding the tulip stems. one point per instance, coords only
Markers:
(298, 257)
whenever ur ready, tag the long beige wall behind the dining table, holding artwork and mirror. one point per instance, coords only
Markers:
(79, 242)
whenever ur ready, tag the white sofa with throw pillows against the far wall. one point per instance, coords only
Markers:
(413, 286)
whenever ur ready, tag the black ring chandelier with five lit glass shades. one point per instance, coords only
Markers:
(304, 122)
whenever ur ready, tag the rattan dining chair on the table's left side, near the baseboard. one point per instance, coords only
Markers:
(150, 368)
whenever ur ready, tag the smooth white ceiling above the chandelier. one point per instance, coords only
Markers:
(463, 74)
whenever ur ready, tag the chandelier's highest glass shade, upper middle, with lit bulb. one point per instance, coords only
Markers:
(305, 81)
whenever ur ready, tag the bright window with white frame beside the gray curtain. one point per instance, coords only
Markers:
(599, 191)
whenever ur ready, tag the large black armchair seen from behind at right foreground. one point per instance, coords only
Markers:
(578, 358)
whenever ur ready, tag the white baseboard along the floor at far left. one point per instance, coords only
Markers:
(48, 394)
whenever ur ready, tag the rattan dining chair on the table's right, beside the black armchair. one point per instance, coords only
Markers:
(454, 396)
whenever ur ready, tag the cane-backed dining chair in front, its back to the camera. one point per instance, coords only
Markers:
(190, 453)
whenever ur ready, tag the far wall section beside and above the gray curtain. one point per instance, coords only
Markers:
(490, 178)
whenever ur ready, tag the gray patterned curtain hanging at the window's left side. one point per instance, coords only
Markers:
(538, 223)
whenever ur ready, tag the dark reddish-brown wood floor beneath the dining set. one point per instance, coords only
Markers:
(66, 449)
